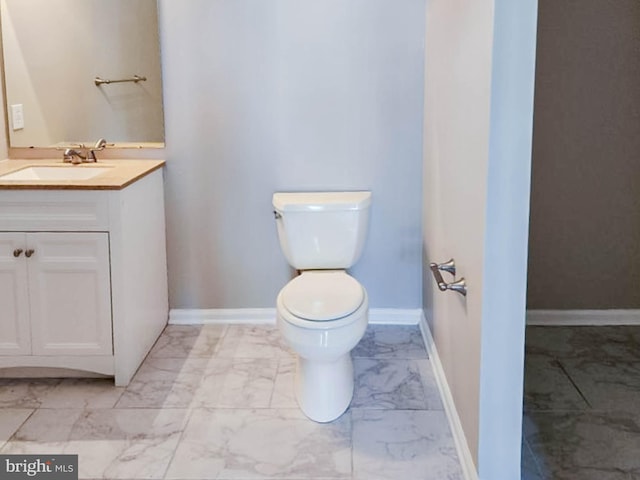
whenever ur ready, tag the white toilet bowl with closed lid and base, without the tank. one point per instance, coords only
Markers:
(322, 315)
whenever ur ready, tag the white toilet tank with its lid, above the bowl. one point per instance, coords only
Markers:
(322, 230)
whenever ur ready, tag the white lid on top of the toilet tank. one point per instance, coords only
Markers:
(320, 201)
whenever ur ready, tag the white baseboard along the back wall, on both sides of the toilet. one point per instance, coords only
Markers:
(256, 316)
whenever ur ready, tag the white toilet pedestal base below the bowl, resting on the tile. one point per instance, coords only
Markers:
(324, 389)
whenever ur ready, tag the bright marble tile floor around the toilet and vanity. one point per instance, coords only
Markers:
(216, 402)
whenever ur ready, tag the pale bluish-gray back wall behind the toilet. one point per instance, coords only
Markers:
(287, 95)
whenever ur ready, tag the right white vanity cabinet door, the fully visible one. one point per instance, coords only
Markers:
(70, 294)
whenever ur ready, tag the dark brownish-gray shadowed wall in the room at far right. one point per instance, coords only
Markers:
(585, 204)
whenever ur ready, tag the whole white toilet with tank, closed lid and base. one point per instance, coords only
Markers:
(322, 313)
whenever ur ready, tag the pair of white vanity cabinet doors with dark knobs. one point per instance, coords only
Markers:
(55, 289)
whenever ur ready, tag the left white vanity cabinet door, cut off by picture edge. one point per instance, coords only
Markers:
(14, 303)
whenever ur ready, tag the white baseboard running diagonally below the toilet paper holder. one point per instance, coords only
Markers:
(462, 447)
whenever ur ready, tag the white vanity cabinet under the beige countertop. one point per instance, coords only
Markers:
(83, 281)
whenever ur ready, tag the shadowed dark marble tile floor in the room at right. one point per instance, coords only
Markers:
(582, 403)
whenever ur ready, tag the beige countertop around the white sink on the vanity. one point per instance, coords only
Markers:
(118, 174)
